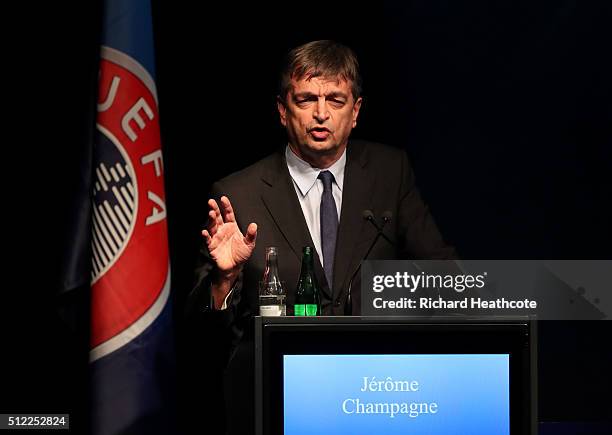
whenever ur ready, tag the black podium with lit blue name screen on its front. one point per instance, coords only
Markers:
(418, 375)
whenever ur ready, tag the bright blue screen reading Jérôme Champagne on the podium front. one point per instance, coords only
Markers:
(396, 394)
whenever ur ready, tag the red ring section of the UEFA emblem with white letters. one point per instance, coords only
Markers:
(132, 282)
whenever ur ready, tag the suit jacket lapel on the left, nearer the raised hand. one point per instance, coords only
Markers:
(280, 199)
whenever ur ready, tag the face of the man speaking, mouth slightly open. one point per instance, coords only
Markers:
(319, 114)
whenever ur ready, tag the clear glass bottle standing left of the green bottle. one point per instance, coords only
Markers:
(271, 291)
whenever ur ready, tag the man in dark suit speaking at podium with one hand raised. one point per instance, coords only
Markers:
(313, 192)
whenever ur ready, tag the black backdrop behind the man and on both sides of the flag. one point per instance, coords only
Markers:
(504, 108)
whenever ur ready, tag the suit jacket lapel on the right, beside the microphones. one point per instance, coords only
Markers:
(357, 196)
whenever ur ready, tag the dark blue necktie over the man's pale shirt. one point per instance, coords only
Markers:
(329, 226)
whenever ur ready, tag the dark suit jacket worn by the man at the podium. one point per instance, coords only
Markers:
(377, 178)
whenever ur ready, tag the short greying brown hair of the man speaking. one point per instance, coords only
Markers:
(323, 58)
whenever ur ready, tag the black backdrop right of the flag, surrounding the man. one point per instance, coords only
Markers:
(504, 108)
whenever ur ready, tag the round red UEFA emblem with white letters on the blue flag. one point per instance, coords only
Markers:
(130, 263)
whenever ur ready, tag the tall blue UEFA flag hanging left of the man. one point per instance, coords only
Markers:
(131, 349)
